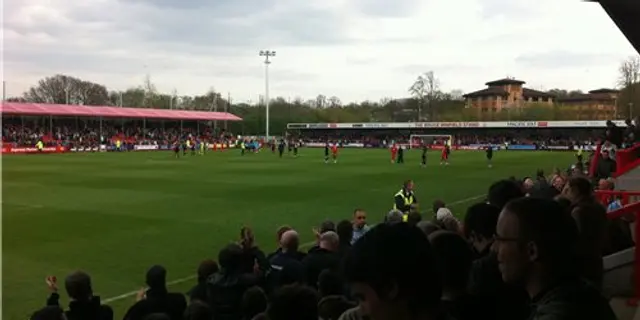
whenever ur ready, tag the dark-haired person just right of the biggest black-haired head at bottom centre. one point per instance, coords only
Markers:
(454, 256)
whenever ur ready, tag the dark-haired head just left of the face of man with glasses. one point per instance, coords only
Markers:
(480, 225)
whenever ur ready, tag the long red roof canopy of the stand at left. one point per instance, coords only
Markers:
(42, 109)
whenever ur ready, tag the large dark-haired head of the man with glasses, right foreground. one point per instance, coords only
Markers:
(535, 243)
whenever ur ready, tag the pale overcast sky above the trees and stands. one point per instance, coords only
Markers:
(354, 49)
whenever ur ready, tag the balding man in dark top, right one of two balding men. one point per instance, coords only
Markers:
(325, 257)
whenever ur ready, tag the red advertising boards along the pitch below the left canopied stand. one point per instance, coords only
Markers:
(8, 149)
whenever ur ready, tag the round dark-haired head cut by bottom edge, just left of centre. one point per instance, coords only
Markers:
(294, 302)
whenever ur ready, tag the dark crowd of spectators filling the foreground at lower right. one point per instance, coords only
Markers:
(532, 250)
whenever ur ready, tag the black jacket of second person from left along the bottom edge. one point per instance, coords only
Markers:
(158, 301)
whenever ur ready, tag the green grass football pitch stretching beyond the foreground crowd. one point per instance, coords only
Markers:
(116, 214)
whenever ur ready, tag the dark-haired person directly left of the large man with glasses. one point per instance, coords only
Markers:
(485, 280)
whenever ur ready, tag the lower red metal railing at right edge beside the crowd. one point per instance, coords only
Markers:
(630, 209)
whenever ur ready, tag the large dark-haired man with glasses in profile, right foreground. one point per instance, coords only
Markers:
(536, 247)
